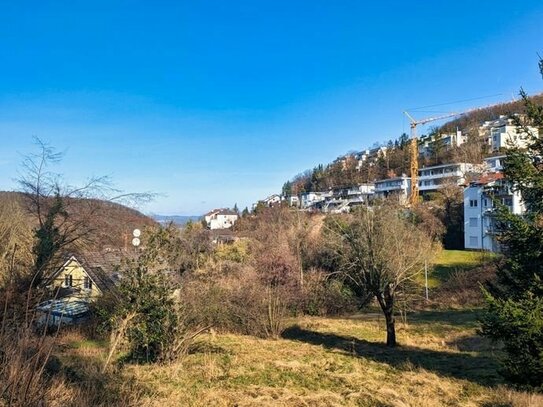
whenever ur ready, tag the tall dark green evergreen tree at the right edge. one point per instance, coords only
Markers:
(514, 313)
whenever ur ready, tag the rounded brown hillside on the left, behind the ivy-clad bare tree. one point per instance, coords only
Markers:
(112, 224)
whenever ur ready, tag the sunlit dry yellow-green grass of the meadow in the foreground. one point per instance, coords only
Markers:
(332, 362)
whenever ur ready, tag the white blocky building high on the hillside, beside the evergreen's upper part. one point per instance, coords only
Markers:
(503, 133)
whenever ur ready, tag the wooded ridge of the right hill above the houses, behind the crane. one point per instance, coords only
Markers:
(347, 170)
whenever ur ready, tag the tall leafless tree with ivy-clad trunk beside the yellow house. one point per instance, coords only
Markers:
(63, 212)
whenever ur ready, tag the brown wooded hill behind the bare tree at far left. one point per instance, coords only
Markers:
(109, 224)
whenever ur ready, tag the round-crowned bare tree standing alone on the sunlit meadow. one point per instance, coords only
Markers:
(380, 251)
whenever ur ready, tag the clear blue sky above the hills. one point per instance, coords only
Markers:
(218, 102)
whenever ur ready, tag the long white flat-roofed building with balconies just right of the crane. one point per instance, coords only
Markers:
(434, 177)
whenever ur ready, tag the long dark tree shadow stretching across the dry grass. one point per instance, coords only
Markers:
(477, 369)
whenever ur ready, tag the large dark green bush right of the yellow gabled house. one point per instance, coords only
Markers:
(146, 318)
